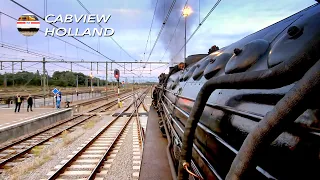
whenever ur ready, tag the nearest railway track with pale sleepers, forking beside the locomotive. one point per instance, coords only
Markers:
(93, 159)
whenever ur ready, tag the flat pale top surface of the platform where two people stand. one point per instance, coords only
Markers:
(8, 117)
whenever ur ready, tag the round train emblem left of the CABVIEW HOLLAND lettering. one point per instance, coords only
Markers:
(28, 24)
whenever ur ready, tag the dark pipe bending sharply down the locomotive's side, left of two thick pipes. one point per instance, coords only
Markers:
(283, 74)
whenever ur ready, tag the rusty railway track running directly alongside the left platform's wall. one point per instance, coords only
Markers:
(18, 151)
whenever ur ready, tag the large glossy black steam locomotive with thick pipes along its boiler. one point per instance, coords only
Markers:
(249, 110)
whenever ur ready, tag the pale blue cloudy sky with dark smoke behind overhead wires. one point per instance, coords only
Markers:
(131, 20)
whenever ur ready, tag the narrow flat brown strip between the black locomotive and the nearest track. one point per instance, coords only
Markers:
(155, 164)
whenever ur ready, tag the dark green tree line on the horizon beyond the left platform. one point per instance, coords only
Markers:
(59, 78)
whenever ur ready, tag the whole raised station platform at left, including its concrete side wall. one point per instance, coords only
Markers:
(13, 125)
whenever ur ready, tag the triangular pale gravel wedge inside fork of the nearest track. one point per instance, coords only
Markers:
(121, 168)
